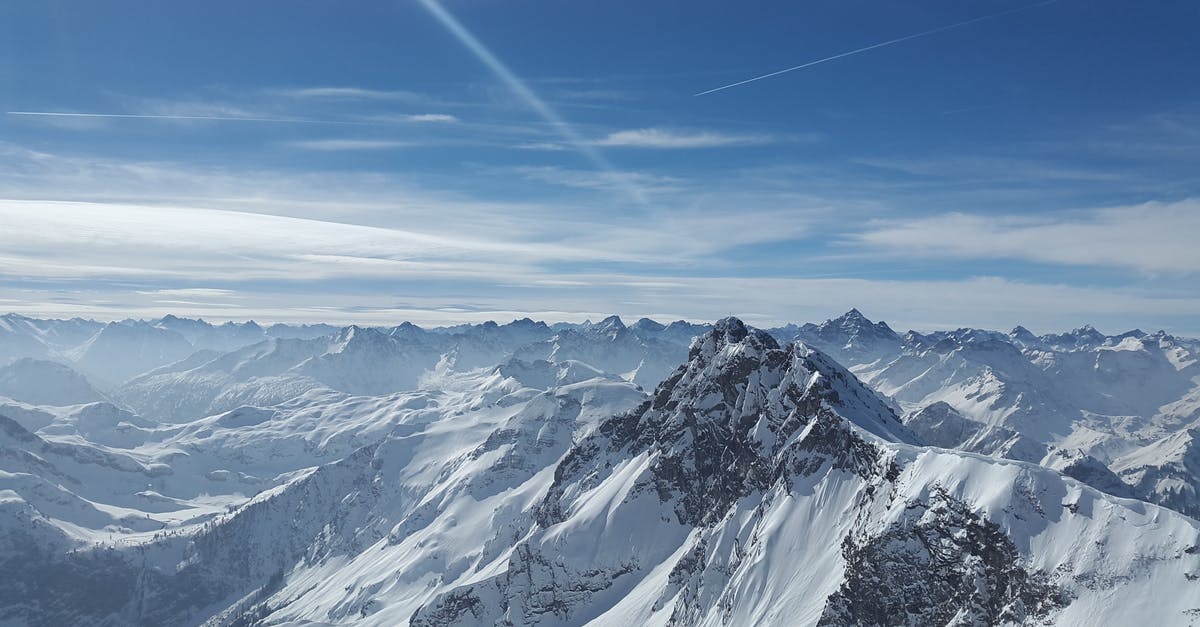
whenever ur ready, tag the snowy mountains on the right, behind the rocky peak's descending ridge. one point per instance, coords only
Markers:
(1097, 408)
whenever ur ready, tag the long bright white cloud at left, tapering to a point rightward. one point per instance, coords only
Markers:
(111, 241)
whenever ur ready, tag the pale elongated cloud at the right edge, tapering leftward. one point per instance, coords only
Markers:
(1151, 237)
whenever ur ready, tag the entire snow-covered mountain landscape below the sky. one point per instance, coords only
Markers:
(175, 471)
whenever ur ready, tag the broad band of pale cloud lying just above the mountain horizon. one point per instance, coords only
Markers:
(275, 247)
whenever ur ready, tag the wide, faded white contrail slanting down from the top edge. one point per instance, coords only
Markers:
(514, 82)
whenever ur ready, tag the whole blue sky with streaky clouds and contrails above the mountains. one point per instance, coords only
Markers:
(970, 163)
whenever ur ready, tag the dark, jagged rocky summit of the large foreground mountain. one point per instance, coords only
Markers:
(733, 421)
